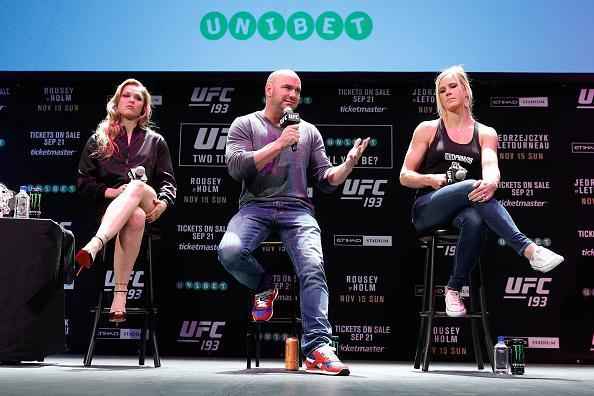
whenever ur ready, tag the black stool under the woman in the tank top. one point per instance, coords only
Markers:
(430, 240)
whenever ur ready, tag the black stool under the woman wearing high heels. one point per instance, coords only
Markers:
(148, 310)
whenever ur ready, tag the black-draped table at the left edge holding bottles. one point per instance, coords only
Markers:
(31, 289)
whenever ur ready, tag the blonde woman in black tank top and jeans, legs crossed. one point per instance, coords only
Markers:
(469, 205)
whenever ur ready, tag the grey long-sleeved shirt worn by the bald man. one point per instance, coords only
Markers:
(284, 178)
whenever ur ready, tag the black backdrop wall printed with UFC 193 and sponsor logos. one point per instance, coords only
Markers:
(546, 151)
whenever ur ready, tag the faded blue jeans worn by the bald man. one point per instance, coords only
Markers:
(300, 233)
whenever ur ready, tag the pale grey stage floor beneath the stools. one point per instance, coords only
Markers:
(118, 376)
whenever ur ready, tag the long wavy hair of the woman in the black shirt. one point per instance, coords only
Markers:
(110, 127)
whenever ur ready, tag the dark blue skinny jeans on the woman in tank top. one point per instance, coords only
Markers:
(450, 205)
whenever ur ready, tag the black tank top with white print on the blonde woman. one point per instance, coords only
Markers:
(443, 152)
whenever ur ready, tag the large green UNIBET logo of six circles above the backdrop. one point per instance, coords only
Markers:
(299, 26)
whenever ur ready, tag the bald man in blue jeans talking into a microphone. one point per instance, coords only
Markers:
(274, 162)
